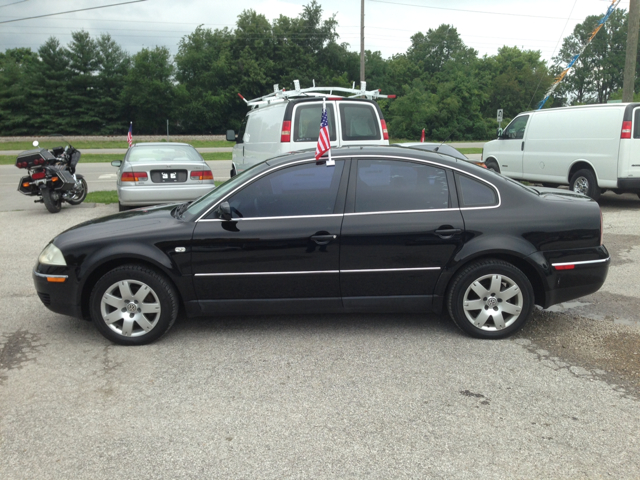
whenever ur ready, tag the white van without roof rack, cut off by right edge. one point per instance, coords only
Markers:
(591, 148)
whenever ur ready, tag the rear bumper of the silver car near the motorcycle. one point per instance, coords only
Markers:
(140, 195)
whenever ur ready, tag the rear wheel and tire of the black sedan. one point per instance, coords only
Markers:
(502, 293)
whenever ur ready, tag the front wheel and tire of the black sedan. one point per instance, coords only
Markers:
(133, 305)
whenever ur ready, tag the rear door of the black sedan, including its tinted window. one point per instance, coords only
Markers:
(401, 227)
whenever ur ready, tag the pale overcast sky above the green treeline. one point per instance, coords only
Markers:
(484, 25)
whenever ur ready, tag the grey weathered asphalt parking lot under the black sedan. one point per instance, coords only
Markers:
(316, 396)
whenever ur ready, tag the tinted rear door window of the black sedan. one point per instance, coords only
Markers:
(391, 185)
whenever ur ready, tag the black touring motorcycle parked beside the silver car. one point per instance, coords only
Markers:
(52, 176)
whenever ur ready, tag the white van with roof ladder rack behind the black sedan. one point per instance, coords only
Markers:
(287, 121)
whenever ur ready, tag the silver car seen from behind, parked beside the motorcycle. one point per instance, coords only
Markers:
(155, 173)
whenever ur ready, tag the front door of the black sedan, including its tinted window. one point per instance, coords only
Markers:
(280, 250)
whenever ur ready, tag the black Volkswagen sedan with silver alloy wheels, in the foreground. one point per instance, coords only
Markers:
(385, 229)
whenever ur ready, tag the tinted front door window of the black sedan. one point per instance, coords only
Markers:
(307, 189)
